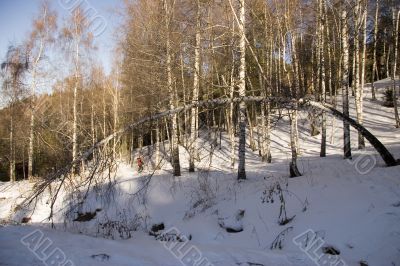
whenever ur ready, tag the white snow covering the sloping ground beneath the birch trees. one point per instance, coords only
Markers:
(351, 206)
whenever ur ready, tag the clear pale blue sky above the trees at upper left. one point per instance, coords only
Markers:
(16, 19)
